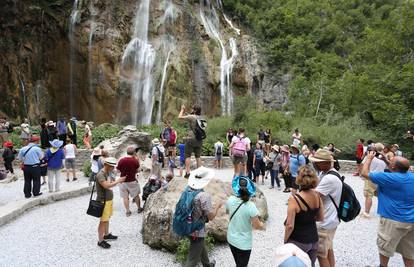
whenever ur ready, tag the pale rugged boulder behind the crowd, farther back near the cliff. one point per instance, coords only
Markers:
(128, 136)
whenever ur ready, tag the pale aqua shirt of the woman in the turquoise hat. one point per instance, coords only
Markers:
(239, 232)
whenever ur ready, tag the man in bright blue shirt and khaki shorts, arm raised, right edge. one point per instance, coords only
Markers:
(395, 207)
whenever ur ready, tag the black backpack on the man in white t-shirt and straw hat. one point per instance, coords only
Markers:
(349, 207)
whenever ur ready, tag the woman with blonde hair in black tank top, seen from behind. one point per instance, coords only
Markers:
(304, 209)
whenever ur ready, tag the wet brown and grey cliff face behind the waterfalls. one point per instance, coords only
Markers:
(38, 60)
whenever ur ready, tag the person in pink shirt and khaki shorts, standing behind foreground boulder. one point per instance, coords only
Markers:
(239, 146)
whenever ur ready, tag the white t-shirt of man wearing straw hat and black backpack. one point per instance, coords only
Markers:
(330, 185)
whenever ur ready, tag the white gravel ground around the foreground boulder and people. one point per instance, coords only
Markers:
(62, 234)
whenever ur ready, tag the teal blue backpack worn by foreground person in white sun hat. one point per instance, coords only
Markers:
(183, 223)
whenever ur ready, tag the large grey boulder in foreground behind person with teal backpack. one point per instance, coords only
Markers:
(159, 209)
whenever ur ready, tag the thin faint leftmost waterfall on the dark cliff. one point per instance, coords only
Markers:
(72, 23)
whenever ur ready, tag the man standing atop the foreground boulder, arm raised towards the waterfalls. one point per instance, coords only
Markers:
(191, 142)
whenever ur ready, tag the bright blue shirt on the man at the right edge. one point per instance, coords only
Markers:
(395, 195)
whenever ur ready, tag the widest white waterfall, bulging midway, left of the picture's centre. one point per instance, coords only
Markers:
(137, 63)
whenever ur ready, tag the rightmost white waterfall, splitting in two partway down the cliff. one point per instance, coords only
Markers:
(211, 24)
